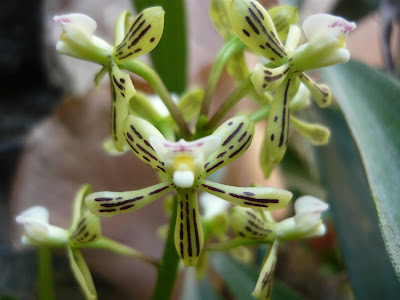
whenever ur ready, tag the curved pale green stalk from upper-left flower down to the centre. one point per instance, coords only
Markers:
(150, 75)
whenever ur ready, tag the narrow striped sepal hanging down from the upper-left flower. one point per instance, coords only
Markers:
(122, 90)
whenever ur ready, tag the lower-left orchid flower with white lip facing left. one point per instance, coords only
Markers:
(84, 231)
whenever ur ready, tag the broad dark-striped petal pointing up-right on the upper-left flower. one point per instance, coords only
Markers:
(143, 36)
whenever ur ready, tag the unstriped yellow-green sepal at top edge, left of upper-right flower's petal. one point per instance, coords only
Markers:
(219, 15)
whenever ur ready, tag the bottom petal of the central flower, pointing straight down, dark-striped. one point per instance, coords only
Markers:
(189, 237)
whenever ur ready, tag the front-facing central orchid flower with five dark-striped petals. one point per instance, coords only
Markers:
(185, 165)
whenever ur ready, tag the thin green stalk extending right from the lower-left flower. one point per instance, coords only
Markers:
(111, 245)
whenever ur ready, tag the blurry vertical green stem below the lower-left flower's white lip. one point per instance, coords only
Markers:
(46, 282)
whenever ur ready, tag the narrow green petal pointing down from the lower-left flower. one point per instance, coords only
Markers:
(82, 273)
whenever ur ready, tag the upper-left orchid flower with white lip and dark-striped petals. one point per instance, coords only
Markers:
(132, 39)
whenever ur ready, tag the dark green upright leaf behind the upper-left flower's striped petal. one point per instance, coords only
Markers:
(170, 54)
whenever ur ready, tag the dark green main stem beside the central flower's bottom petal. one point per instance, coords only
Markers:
(169, 269)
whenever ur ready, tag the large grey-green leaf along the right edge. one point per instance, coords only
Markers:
(370, 103)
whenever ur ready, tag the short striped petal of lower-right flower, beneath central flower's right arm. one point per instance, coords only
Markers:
(250, 224)
